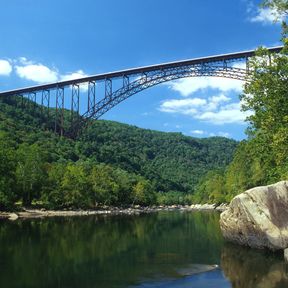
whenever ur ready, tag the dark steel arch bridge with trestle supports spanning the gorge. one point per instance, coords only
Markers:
(120, 85)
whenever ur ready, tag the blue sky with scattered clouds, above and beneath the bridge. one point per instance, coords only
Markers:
(45, 41)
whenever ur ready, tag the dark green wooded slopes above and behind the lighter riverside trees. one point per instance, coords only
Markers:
(168, 161)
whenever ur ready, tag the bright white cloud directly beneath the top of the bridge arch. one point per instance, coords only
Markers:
(188, 86)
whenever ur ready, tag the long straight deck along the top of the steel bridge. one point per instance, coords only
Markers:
(138, 70)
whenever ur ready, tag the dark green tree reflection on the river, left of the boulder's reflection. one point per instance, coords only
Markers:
(98, 251)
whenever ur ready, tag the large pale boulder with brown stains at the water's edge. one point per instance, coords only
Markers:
(258, 217)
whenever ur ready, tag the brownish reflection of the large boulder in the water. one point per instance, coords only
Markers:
(248, 268)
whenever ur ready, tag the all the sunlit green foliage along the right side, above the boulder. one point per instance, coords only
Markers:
(263, 159)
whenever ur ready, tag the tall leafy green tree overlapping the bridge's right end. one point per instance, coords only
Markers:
(266, 95)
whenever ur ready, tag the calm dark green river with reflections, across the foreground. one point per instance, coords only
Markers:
(165, 249)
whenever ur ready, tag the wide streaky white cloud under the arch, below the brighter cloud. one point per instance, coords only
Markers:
(216, 110)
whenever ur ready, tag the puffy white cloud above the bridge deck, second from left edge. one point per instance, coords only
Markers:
(37, 72)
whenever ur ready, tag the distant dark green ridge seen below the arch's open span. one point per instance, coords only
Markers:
(174, 161)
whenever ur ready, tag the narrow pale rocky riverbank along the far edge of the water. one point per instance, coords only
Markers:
(133, 210)
